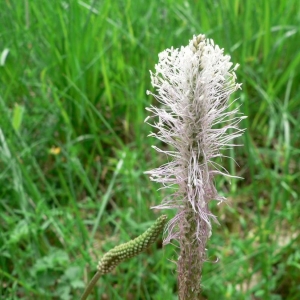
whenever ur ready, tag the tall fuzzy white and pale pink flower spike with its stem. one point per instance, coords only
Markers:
(193, 84)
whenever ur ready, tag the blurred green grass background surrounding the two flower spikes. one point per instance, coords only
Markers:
(74, 147)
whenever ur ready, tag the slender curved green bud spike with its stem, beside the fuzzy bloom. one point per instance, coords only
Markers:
(127, 250)
